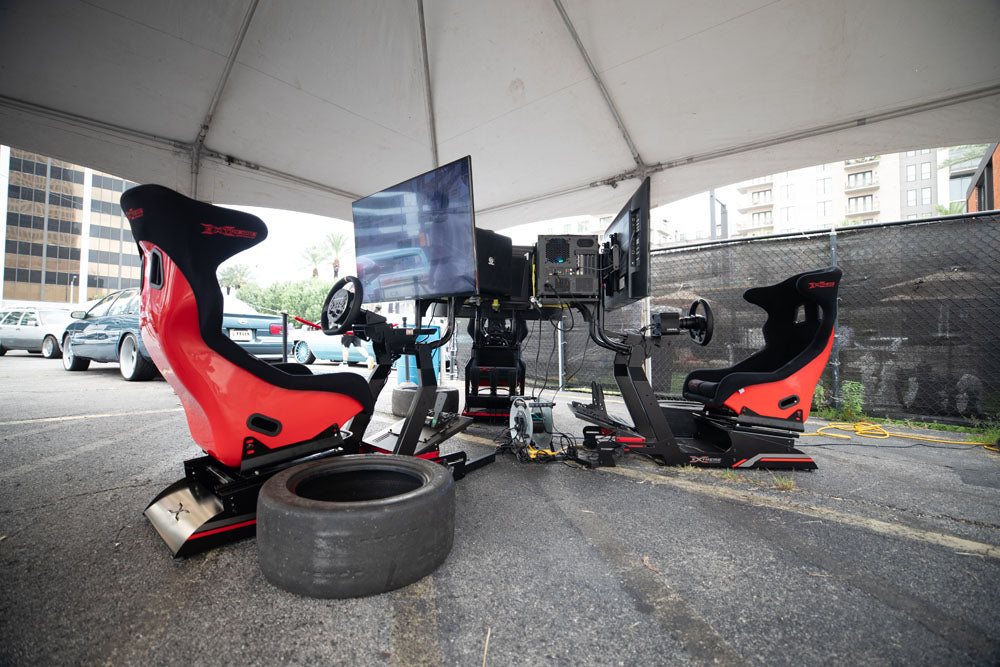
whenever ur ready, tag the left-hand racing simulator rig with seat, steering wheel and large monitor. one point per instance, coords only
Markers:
(254, 419)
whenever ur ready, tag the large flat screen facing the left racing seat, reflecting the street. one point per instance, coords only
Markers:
(416, 240)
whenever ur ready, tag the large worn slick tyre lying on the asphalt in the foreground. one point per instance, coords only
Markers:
(355, 525)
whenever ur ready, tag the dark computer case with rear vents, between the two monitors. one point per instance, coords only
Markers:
(567, 266)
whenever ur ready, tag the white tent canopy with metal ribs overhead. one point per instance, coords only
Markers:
(307, 105)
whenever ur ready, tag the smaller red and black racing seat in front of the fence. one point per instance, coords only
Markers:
(774, 387)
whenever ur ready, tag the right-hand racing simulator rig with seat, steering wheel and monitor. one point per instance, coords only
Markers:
(744, 416)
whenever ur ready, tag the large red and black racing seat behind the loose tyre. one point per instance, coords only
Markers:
(239, 408)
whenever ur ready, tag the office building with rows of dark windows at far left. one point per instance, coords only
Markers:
(66, 239)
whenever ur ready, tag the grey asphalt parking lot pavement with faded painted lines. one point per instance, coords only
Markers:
(889, 553)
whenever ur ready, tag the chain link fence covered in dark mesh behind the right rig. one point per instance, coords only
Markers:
(919, 316)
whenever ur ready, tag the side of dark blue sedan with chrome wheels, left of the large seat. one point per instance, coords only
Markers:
(109, 332)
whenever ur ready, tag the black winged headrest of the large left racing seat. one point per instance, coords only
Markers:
(195, 235)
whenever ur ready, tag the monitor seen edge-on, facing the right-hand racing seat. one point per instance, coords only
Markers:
(625, 253)
